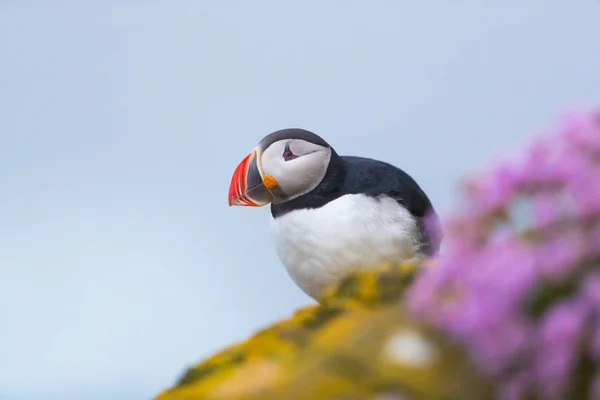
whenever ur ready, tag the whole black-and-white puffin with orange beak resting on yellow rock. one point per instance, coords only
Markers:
(333, 215)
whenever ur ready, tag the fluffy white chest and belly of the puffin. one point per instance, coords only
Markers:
(320, 246)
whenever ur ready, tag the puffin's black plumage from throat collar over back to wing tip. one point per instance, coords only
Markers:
(357, 175)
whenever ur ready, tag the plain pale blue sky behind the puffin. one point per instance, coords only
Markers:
(121, 123)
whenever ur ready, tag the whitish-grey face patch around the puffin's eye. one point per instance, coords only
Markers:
(299, 175)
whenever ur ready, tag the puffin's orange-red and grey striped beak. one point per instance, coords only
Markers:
(247, 187)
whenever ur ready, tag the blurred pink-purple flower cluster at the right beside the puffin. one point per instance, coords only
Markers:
(520, 283)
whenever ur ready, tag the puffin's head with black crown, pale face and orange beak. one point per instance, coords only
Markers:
(284, 165)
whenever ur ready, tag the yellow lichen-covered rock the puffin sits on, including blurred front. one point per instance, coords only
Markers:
(349, 346)
